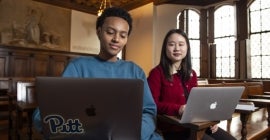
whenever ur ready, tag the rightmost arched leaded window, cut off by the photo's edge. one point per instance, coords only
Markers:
(259, 23)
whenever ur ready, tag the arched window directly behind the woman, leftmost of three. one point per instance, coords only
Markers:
(189, 21)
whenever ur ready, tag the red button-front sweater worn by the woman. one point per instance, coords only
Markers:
(169, 95)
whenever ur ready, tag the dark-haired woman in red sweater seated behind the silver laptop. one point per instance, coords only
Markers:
(170, 83)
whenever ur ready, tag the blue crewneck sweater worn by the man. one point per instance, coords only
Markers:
(94, 67)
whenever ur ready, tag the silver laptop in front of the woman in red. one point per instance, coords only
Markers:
(211, 103)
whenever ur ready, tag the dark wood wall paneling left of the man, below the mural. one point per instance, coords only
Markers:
(31, 62)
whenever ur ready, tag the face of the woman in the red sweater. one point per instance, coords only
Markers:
(176, 49)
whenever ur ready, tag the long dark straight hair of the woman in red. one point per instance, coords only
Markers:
(165, 62)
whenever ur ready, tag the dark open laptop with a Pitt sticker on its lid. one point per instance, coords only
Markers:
(90, 108)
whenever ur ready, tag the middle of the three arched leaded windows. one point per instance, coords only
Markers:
(224, 38)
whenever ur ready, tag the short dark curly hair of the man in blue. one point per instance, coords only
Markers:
(114, 12)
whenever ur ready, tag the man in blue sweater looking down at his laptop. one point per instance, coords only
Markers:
(113, 28)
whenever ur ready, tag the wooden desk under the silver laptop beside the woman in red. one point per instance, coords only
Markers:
(197, 130)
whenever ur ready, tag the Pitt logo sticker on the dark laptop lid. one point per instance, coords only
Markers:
(57, 124)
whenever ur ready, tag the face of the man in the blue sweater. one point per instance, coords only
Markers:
(113, 37)
